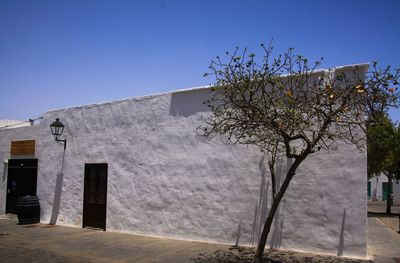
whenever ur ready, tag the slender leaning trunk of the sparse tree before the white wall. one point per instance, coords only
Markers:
(274, 207)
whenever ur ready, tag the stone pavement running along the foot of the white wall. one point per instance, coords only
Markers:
(45, 243)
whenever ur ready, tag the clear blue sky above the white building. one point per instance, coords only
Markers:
(58, 54)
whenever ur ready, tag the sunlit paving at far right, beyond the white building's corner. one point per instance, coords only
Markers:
(383, 242)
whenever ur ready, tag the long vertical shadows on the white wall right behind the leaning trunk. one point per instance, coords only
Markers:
(261, 209)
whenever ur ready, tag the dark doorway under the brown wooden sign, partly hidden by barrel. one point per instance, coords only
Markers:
(21, 180)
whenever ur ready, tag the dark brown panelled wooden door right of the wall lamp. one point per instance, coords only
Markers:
(95, 195)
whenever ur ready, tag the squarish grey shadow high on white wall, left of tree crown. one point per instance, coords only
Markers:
(188, 103)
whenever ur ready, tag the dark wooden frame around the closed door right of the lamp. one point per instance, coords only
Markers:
(85, 194)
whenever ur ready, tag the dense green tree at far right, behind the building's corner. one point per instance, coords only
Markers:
(384, 152)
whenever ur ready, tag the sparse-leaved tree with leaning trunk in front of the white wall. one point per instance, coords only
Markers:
(287, 108)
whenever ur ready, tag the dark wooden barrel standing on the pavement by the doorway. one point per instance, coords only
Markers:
(28, 209)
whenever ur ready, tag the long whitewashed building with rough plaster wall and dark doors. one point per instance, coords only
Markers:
(137, 166)
